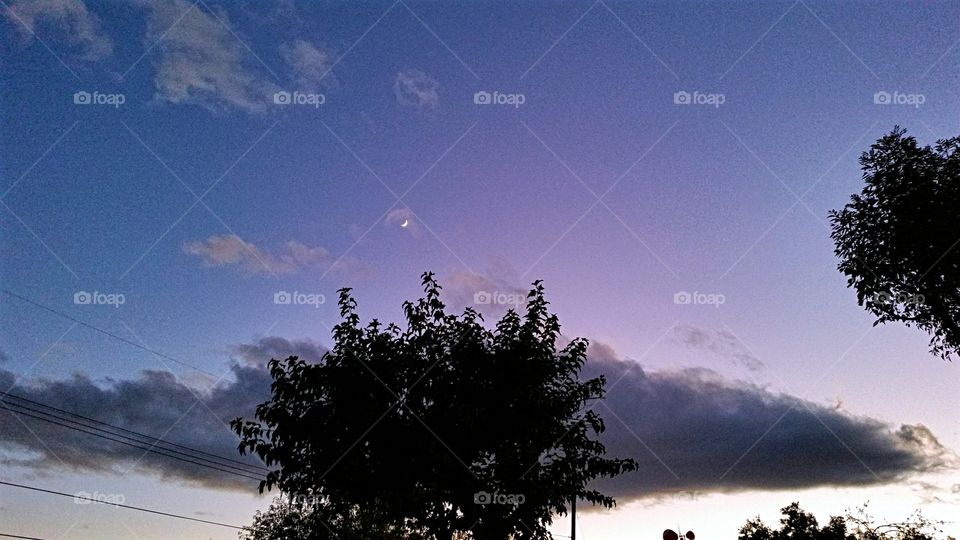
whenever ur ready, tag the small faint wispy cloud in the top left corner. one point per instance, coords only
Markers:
(71, 18)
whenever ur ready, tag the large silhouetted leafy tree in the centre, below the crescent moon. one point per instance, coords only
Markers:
(440, 428)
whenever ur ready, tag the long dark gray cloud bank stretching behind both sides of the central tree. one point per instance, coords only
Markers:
(690, 431)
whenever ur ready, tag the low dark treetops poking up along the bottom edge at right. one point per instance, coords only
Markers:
(798, 524)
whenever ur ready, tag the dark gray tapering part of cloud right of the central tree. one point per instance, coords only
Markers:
(694, 431)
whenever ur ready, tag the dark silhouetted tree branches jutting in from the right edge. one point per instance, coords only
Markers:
(898, 239)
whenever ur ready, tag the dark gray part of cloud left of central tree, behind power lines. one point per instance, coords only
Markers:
(156, 404)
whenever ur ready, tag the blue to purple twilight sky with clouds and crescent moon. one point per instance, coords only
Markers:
(184, 187)
